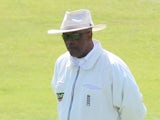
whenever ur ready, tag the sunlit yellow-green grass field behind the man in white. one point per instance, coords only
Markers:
(28, 53)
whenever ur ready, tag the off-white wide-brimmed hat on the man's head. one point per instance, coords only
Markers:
(77, 20)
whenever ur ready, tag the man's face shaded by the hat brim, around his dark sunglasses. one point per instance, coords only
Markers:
(80, 47)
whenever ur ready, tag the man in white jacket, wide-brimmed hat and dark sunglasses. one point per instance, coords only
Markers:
(90, 82)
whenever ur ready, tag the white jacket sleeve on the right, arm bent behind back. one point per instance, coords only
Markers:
(126, 95)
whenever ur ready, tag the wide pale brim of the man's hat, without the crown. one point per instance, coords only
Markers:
(94, 29)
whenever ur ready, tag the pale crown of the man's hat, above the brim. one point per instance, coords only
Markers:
(77, 19)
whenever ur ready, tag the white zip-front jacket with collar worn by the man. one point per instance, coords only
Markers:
(102, 88)
